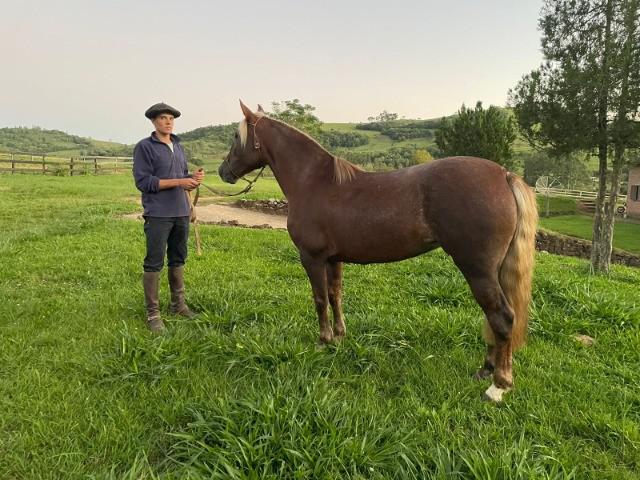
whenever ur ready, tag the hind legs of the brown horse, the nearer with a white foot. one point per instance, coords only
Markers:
(499, 315)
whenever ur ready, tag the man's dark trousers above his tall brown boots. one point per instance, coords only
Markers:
(165, 235)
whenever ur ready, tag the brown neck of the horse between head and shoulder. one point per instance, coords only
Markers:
(297, 162)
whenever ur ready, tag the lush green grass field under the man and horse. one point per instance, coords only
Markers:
(86, 392)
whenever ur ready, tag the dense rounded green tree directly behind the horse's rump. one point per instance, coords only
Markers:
(480, 133)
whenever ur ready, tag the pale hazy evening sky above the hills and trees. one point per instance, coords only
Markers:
(92, 68)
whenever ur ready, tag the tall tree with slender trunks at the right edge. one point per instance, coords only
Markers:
(586, 96)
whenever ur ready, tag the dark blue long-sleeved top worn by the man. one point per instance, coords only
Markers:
(152, 161)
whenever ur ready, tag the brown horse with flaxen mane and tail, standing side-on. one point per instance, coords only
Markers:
(481, 215)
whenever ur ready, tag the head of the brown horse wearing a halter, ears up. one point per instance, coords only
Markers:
(245, 155)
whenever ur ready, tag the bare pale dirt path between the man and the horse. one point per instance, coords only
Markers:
(230, 215)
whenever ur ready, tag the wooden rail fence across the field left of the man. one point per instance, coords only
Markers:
(53, 165)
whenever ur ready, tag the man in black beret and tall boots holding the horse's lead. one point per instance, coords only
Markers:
(161, 174)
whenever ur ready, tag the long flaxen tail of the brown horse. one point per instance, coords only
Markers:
(516, 271)
